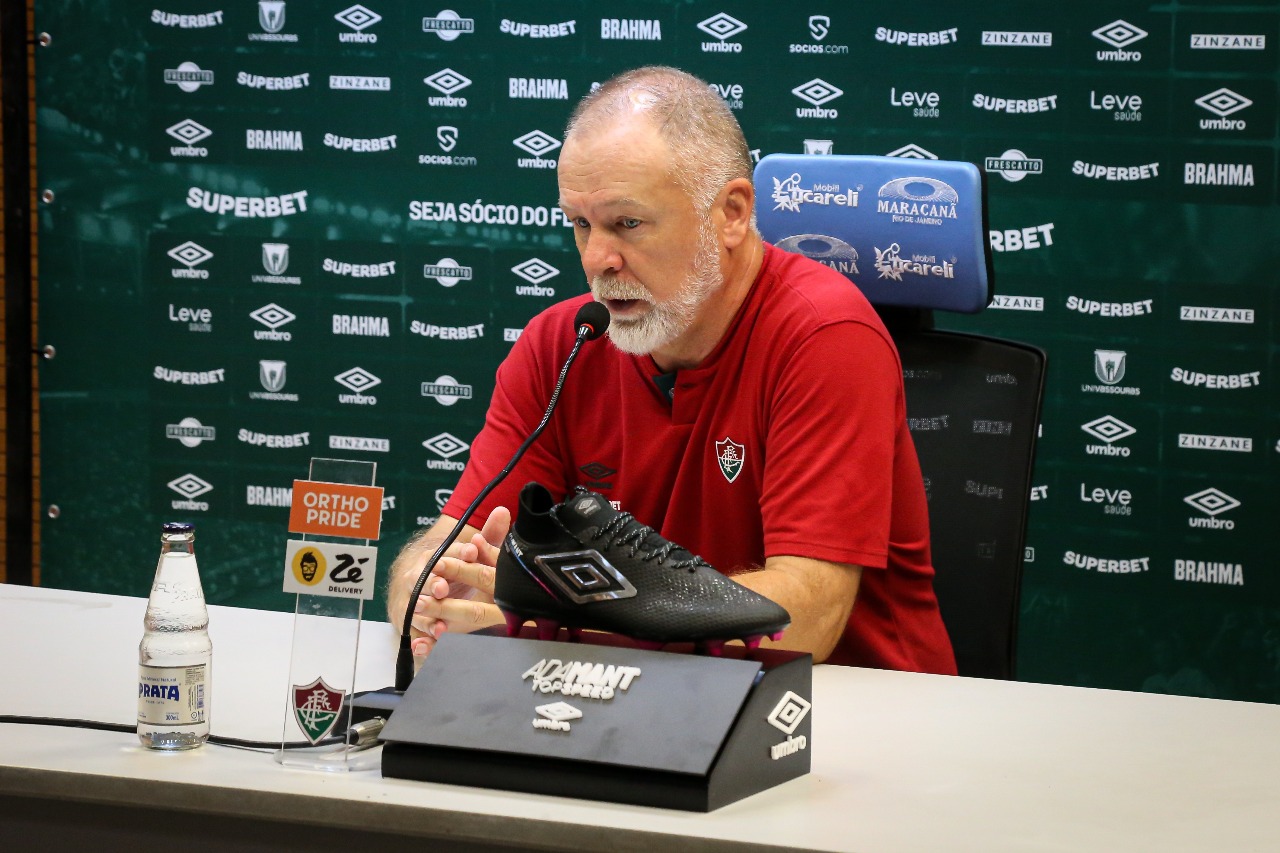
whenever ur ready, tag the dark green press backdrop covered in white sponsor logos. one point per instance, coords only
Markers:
(273, 231)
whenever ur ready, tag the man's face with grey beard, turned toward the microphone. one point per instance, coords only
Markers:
(651, 258)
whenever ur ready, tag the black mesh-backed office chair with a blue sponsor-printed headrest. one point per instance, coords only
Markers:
(912, 235)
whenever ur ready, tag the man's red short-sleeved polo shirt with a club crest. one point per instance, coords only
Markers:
(790, 439)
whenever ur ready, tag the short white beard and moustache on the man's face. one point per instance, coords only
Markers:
(665, 322)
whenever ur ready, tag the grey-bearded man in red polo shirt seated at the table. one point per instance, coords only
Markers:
(749, 404)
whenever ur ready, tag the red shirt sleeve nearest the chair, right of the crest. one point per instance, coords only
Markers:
(830, 437)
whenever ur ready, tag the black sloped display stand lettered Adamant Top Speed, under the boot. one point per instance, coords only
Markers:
(688, 732)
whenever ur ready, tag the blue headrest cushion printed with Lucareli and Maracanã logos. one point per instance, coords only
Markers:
(907, 232)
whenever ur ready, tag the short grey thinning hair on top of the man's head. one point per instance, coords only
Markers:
(706, 142)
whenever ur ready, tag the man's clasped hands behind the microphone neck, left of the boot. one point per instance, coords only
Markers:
(459, 594)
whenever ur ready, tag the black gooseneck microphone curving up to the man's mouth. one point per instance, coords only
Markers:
(592, 321)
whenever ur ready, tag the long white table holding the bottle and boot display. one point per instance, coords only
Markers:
(900, 763)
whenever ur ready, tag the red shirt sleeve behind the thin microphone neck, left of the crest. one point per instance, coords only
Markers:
(522, 393)
